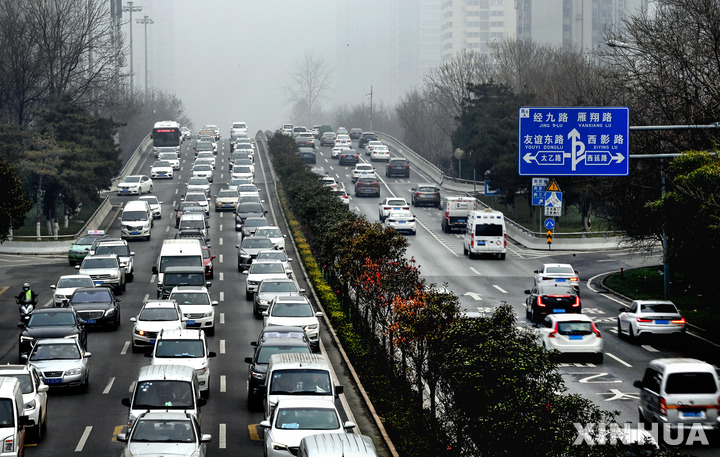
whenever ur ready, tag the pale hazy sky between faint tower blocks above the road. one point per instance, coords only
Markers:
(233, 58)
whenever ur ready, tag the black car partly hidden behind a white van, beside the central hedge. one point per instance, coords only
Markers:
(258, 363)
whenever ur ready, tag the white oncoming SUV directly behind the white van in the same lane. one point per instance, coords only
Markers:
(185, 347)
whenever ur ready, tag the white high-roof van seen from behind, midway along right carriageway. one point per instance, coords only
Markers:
(485, 234)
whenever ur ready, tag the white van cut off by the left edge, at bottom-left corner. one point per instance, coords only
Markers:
(12, 421)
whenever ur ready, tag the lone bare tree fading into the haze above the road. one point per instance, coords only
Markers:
(308, 86)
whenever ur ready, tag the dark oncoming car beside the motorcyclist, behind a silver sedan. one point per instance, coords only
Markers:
(50, 323)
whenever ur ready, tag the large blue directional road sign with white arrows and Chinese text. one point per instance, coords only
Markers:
(574, 141)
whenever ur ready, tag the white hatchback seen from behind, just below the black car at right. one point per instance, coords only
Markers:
(571, 333)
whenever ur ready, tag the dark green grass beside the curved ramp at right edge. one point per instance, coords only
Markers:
(647, 283)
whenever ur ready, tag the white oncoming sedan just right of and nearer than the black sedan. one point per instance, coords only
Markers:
(154, 316)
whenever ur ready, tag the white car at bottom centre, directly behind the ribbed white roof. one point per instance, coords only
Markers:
(294, 419)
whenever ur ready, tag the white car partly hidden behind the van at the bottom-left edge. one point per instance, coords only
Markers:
(34, 392)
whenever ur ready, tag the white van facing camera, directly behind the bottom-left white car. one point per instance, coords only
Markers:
(165, 388)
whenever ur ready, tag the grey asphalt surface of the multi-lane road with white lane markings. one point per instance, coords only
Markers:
(86, 423)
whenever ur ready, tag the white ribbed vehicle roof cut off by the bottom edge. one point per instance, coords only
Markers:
(336, 445)
